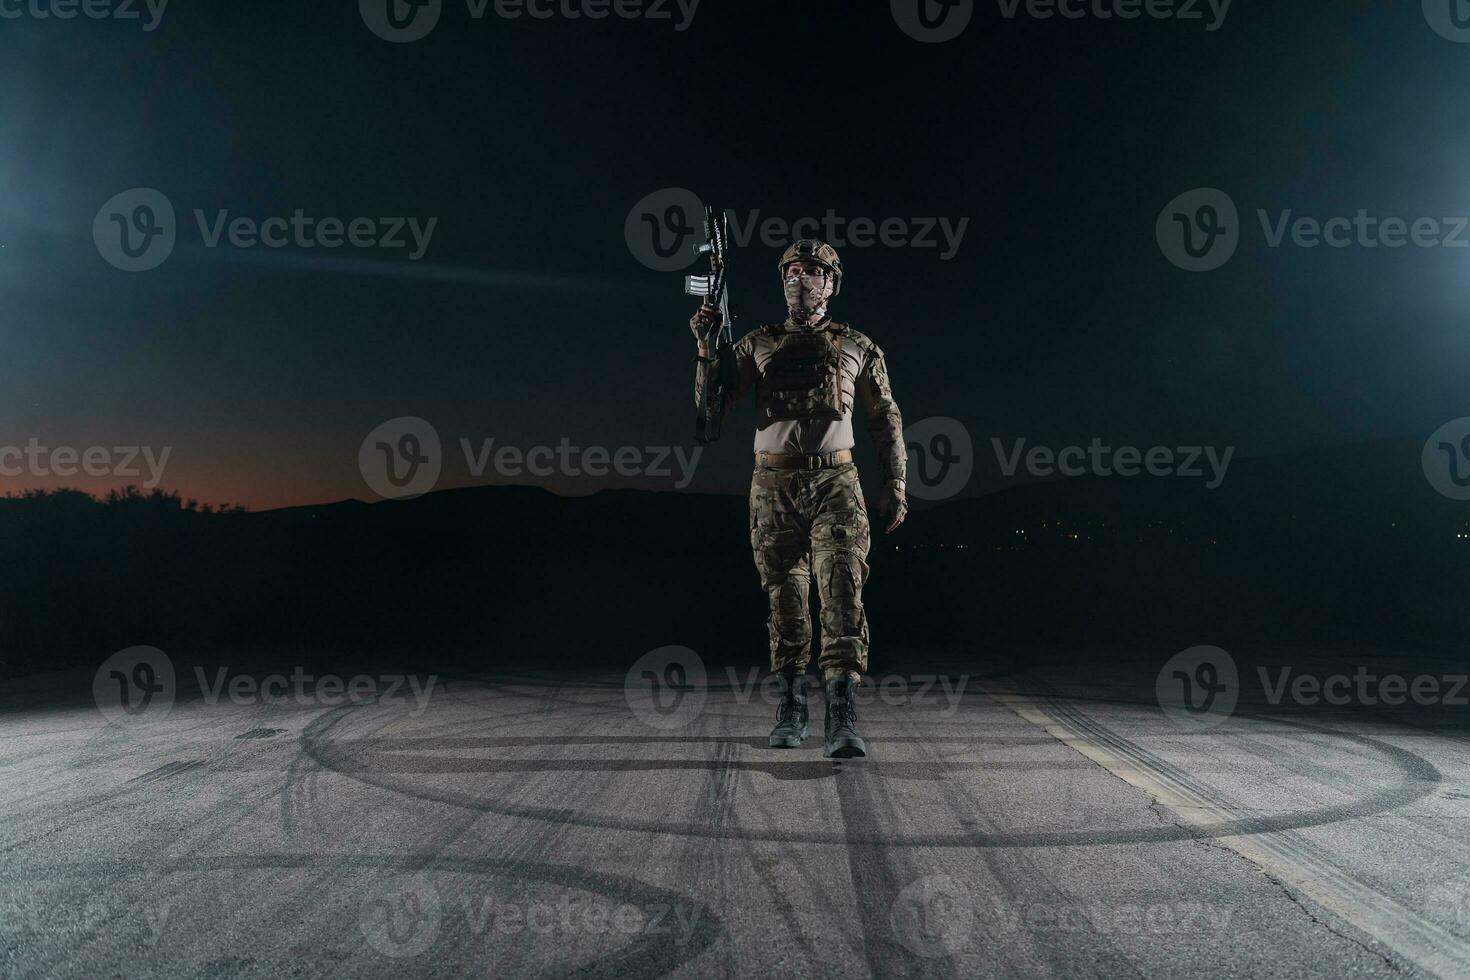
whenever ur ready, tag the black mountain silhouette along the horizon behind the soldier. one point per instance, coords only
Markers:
(1340, 544)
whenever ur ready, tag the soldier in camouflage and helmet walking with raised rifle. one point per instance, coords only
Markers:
(808, 519)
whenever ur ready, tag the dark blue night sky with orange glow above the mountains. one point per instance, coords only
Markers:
(528, 320)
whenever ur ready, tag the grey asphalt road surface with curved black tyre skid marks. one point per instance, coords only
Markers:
(1019, 824)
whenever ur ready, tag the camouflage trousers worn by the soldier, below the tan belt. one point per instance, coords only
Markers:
(803, 525)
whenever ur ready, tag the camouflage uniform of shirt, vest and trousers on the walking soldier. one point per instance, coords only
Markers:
(812, 522)
